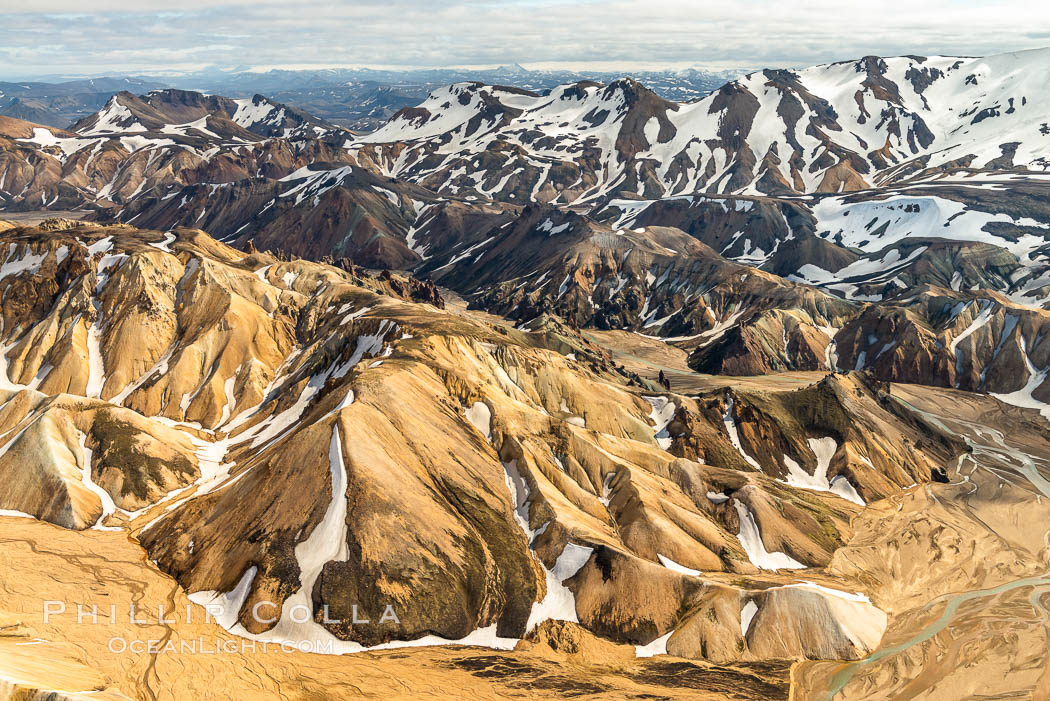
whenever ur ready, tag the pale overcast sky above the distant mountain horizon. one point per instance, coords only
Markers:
(68, 37)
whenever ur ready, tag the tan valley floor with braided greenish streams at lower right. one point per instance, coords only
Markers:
(964, 566)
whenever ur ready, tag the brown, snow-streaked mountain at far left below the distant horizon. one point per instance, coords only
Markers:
(145, 146)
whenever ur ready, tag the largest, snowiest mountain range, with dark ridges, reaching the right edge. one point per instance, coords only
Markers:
(832, 129)
